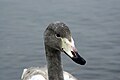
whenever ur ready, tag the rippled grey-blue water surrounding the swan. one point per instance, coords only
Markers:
(95, 25)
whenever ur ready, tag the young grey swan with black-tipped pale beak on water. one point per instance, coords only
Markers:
(57, 39)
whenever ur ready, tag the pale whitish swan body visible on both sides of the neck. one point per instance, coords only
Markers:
(36, 73)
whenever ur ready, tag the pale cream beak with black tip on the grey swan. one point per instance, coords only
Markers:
(68, 48)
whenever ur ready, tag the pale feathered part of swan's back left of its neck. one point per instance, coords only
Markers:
(34, 73)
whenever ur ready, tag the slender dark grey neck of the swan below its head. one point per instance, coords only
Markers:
(55, 71)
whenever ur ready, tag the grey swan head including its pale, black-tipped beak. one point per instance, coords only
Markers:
(58, 36)
